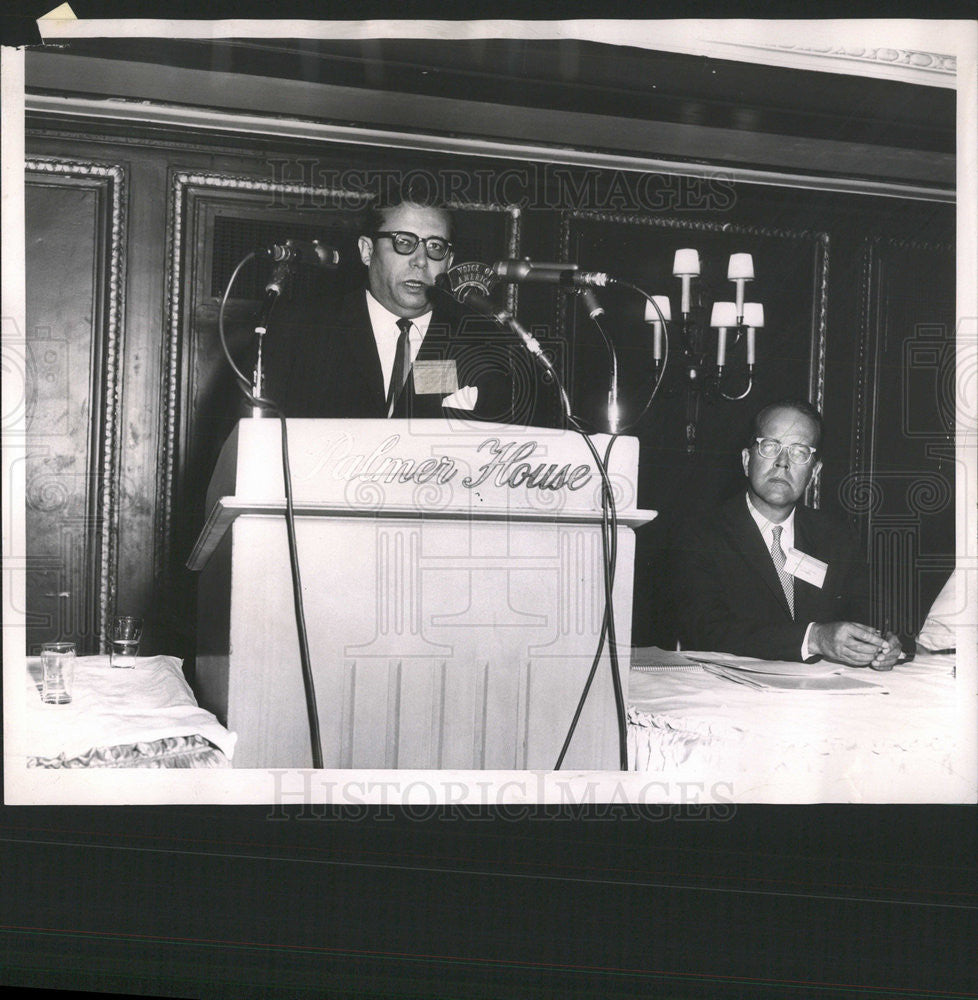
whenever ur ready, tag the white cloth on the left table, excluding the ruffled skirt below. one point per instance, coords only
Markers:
(111, 706)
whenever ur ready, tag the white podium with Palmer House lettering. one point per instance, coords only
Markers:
(452, 579)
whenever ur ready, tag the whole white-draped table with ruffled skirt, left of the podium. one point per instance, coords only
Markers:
(143, 717)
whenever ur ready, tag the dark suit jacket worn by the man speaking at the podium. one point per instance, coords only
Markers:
(323, 362)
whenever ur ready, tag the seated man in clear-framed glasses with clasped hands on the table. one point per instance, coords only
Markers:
(771, 578)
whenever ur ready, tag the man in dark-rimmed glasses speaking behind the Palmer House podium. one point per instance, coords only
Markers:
(384, 351)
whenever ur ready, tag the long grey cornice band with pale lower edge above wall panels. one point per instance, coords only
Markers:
(220, 101)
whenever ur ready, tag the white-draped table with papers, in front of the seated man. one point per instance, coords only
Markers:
(905, 736)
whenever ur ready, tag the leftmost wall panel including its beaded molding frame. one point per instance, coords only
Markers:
(75, 279)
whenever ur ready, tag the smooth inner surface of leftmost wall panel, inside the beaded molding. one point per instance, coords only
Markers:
(65, 223)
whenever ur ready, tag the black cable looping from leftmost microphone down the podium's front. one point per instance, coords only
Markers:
(244, 386)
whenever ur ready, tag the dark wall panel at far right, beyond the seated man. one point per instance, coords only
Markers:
(901, 485)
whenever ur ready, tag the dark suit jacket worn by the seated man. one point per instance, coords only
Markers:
(729, 598)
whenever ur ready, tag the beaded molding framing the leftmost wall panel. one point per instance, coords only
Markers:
(104, 503)
